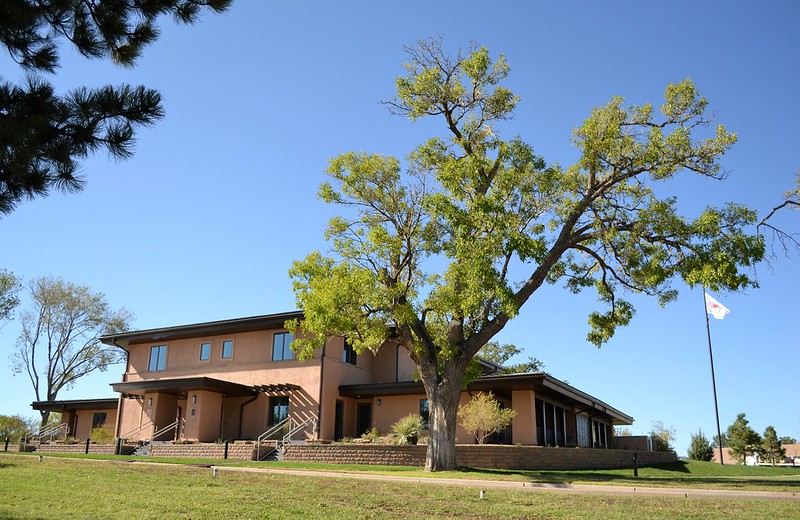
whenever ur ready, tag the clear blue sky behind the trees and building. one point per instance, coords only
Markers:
(203, 223)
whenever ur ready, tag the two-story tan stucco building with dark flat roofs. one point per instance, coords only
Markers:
(234, 379)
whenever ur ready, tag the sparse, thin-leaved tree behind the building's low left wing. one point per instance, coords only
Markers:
(59, 342)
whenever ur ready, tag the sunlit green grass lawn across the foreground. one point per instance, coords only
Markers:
(74, 488)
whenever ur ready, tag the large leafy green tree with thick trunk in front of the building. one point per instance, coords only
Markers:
(438, 252)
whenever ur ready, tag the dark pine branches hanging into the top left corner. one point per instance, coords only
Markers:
(43, 135)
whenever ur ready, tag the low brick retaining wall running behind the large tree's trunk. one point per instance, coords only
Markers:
(488, 456)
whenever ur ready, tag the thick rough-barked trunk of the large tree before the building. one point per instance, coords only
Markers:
(443, 399)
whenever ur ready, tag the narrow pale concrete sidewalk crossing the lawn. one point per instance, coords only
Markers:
(533, 486)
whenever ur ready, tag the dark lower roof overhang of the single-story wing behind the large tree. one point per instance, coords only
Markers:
(502, 386)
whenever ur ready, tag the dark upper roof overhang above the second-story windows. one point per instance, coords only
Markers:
(196, 330)
